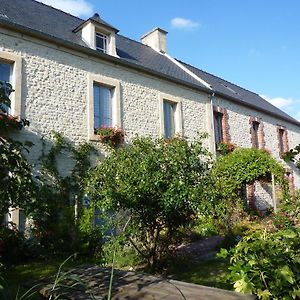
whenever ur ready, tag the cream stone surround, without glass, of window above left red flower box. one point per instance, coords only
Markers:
(114, 85)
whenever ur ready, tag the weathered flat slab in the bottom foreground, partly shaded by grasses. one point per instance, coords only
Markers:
(134, 286)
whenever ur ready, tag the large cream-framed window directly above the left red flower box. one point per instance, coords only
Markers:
(104, 103)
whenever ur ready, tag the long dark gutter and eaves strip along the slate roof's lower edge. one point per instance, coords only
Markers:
(119, 61)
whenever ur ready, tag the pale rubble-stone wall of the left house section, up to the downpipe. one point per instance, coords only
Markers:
(55, 88)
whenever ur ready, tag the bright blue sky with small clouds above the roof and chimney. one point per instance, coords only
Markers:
(255, 44)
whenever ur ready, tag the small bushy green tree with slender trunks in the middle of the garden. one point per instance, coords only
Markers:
(159, 183)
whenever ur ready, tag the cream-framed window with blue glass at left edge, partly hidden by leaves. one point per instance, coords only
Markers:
(11, 71)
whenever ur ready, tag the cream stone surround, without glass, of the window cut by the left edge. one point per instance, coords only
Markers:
(16, 81)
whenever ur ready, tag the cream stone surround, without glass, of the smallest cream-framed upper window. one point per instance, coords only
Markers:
(178, 124)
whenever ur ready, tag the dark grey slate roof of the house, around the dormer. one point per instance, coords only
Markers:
(55, 23)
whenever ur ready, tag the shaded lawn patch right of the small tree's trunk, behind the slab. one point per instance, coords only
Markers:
(209, 272)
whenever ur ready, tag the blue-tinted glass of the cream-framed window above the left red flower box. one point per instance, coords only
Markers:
(102, 107)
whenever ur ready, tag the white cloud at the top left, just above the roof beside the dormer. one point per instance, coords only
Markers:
(78, 8)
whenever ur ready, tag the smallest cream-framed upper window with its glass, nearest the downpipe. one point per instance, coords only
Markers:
(170, 116)
